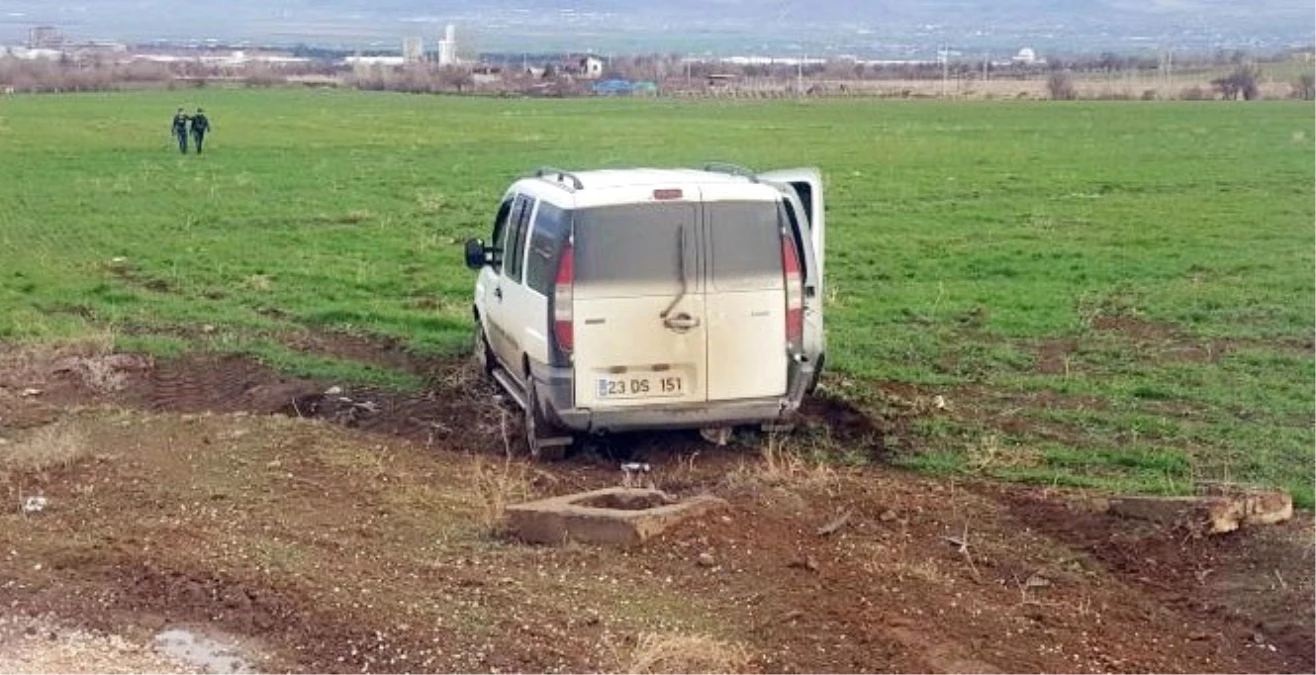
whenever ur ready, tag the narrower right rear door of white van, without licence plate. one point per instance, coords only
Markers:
(746, 293)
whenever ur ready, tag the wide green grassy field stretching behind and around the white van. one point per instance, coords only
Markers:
(1115, 295)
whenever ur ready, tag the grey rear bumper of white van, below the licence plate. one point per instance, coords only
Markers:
(556, 389)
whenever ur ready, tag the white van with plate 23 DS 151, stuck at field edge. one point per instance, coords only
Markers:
(652, 299)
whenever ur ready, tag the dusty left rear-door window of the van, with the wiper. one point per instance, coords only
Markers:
(632, 249)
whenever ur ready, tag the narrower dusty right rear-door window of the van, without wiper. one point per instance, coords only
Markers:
(747, 245)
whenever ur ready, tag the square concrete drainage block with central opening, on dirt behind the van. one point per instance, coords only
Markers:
(619, 516)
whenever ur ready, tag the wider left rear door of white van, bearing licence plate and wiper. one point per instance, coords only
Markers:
(639, 311)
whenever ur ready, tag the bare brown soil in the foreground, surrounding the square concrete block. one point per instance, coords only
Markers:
(359, 531)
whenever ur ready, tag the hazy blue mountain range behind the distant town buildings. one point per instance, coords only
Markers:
(876, 28)
